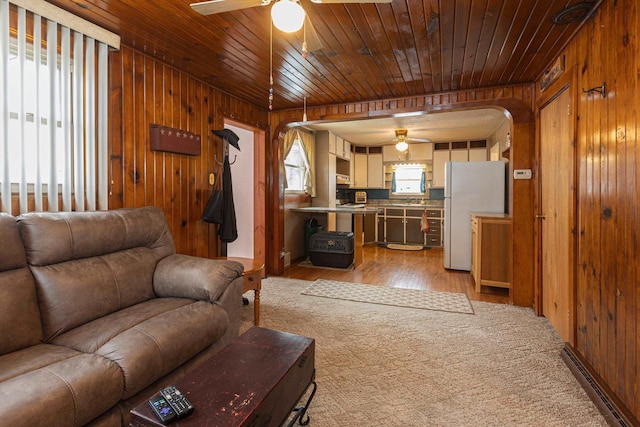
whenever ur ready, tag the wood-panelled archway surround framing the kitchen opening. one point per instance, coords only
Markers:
(517, 100)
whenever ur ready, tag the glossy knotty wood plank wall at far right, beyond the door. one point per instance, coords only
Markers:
(607, 292)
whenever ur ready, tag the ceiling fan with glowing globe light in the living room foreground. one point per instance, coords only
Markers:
(286, 15)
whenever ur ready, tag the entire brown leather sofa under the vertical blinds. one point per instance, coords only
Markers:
(97, 312)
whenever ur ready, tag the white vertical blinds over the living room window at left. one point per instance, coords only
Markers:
(59, 121)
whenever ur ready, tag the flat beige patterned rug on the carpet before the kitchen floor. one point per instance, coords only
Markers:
(412, 298)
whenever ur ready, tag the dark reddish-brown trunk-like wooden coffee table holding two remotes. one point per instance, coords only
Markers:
(257, 380)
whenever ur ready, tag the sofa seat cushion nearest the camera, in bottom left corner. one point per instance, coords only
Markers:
(69, 392)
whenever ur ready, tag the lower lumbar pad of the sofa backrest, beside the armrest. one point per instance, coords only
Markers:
(76, 292)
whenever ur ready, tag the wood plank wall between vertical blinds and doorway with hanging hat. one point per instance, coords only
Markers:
(145, 91)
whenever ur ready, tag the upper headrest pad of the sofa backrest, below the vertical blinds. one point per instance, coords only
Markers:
(51, 238)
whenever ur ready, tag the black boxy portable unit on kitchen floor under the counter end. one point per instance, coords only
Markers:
(331, 249)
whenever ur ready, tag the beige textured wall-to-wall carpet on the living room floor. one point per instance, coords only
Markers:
(380, 365)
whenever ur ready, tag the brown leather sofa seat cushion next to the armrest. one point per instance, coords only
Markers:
(151, 339)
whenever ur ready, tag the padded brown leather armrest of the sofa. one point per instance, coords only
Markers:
(184, 276)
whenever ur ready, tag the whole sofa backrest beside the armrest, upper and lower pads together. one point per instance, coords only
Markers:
(89, 264)
